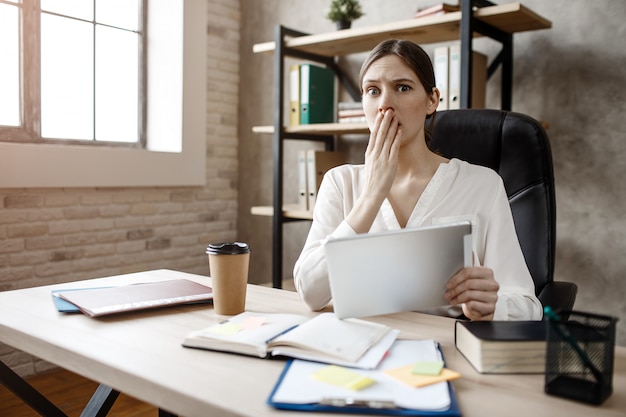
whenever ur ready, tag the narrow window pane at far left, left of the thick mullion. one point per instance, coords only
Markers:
(10, 68)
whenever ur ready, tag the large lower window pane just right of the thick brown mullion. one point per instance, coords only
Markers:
(66, 78)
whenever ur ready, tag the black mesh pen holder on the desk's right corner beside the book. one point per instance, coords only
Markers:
(579, 356)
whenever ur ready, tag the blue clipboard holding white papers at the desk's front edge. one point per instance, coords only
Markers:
(297, 391)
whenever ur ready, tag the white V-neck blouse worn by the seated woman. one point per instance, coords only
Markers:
(457, 191)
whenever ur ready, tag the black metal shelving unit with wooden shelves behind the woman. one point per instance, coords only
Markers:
(476, 18)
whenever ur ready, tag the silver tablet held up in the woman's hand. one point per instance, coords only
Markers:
(389, 272)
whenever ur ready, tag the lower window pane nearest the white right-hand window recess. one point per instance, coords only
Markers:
(117, 85)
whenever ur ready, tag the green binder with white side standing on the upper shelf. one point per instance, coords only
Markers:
(317, 94)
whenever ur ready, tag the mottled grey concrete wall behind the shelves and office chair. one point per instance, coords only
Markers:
(570, 76)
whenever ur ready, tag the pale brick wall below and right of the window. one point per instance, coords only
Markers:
(58, 235)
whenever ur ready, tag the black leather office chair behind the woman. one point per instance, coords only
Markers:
(516, 146)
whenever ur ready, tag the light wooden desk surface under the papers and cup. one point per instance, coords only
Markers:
(140, 354)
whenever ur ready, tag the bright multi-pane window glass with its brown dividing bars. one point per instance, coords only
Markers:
(81, 69)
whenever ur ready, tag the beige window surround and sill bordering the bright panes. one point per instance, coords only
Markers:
(180, 162)
